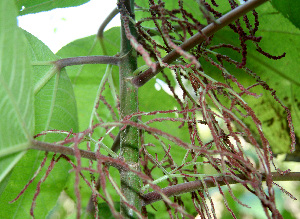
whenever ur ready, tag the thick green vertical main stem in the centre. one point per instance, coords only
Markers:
(129, 139)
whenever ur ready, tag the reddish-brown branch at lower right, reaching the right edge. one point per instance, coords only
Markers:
(198, 185)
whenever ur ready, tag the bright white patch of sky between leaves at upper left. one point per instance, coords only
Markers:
(60, 26)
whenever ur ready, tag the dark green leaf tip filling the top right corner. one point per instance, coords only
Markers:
(290, 9)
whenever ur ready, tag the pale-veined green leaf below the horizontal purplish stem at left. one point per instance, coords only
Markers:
(55, 104)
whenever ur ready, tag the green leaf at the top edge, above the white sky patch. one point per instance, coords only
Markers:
(35, 6)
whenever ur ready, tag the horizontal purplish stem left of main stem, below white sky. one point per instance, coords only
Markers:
(61, 63)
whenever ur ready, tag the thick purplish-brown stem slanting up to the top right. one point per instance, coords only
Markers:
(199, 38)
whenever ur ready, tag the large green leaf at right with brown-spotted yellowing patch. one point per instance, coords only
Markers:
(279, 36)
